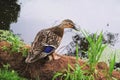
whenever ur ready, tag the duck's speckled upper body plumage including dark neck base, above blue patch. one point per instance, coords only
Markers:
(51, 36)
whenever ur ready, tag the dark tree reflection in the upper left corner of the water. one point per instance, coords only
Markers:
(9, 12)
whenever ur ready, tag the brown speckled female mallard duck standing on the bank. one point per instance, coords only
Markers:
(47, 41)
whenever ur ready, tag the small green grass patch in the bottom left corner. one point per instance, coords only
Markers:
(6, 74)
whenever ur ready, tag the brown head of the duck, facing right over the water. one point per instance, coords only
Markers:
(67, 23)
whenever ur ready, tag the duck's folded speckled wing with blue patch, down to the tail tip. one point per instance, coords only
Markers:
(44, 43)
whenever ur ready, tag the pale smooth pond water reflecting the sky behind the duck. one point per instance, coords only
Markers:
(90, 15)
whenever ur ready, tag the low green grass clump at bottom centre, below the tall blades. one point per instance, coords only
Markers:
(73, 74)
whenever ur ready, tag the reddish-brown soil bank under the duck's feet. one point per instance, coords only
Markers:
(44, 70)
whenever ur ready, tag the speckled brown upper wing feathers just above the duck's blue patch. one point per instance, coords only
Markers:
(45, 38)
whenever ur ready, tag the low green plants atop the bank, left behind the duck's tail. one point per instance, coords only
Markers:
(16, 44)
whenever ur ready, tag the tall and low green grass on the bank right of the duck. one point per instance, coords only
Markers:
(94, 53)
